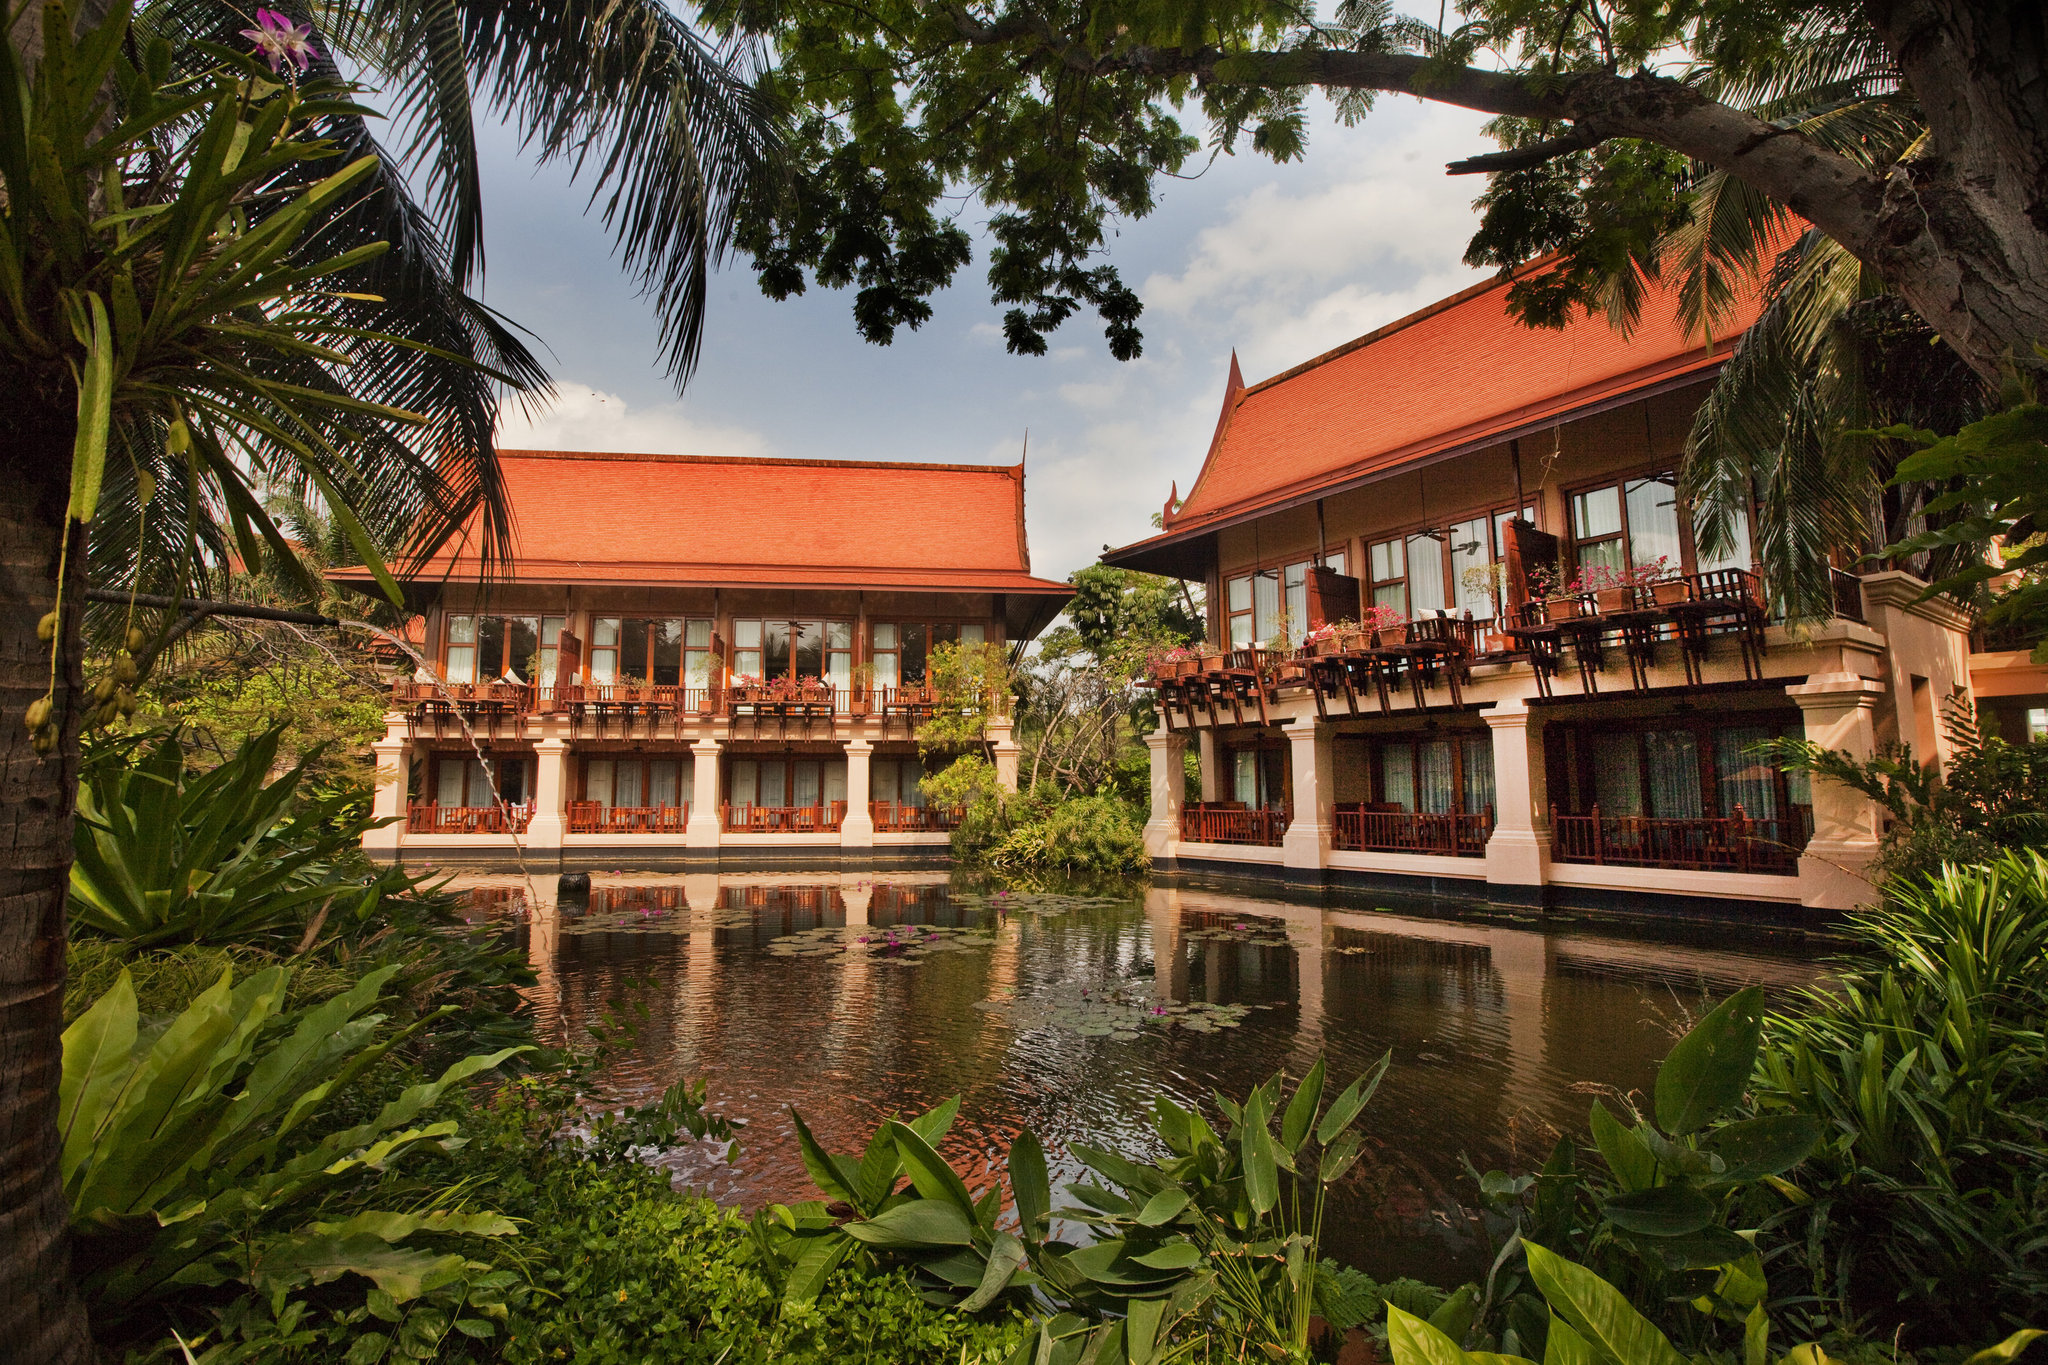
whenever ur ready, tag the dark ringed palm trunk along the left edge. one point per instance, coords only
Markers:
(42, 1315)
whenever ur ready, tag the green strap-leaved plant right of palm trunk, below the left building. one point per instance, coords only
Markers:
(167, 854)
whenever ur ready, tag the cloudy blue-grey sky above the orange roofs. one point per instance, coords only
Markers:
(1275, 261)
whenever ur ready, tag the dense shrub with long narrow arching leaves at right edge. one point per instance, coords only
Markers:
(1926, 1061)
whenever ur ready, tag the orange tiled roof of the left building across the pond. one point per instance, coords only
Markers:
(691, 519)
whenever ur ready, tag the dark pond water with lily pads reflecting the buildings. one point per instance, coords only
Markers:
(1502, 1026)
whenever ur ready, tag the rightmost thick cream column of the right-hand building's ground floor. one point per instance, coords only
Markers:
(1840, 711)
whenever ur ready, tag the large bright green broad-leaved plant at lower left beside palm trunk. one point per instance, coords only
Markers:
(200, 1151)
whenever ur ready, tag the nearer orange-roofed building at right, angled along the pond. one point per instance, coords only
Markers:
(1465, 637)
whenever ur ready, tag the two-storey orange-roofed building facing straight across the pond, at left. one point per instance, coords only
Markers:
(693, 662)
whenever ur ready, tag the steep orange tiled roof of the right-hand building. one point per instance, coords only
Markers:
(1459, 373)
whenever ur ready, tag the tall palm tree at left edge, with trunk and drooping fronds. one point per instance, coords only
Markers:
(214, 292)
